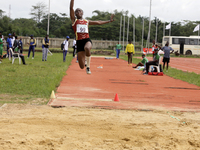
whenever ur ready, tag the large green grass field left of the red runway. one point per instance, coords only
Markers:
(32, 81)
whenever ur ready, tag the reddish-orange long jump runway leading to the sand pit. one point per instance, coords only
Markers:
(135, 91)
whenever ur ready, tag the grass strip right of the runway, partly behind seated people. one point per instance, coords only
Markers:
(189, 77)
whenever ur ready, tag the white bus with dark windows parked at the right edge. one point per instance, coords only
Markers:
(185, 45)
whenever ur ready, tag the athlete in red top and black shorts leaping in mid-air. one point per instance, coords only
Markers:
(80, 27)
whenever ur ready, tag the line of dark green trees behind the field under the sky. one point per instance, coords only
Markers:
(60, 25)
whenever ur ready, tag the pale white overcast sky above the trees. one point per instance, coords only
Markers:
(166, 10)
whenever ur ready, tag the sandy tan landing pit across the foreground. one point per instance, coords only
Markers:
(32, 127)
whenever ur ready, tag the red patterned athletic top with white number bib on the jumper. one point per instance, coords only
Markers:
(80, 28)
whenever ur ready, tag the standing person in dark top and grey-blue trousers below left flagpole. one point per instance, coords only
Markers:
(45, 47)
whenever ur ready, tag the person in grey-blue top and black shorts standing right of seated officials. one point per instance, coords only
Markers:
(167, 51)
